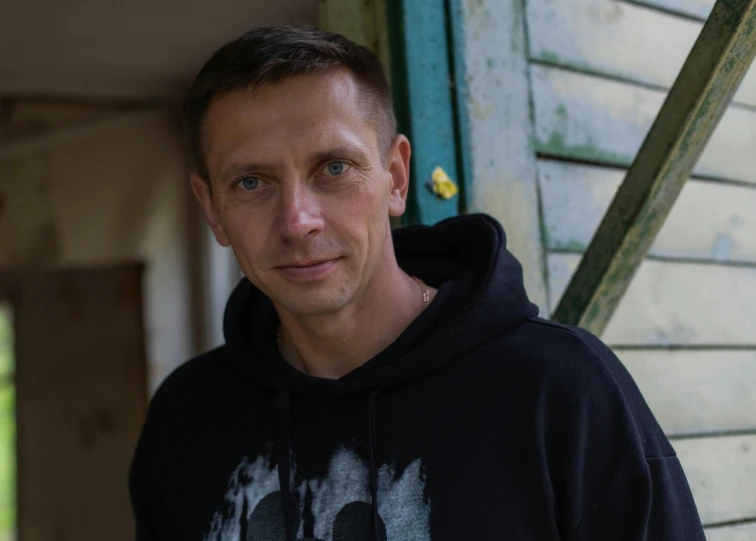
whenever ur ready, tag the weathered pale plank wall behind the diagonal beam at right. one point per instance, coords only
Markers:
(560, 95)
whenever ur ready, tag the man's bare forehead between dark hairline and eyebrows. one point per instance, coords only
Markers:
(302, 111)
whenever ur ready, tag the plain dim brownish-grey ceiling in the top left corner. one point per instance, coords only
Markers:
(119, 49)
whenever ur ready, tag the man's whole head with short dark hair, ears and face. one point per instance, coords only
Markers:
(293, 134)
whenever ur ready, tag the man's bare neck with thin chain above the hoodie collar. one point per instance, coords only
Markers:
(332, 345)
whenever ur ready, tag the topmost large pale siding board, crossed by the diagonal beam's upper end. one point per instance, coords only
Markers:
(619, 39)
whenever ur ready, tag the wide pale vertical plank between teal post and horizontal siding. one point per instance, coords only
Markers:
(502, 156)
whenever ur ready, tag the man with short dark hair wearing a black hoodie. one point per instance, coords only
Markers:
(378, 386)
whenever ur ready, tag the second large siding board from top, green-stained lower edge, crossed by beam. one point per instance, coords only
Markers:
(585, 117)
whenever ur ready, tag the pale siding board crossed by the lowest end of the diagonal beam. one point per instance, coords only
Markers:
(676, 303)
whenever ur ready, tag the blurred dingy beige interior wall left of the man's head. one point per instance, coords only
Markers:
(121, 196)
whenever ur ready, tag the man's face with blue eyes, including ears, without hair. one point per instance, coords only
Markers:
(301, 189)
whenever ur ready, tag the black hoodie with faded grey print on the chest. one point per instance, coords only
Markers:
(480, 422)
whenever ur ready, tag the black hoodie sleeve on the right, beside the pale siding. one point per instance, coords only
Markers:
(615, 474)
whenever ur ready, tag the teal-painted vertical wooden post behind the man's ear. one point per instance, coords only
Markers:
(421, 78)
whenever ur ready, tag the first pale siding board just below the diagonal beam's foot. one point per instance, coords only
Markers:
(696, 392)
